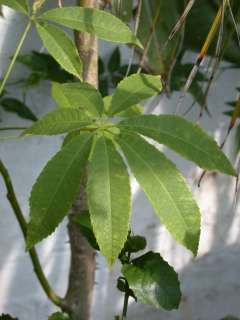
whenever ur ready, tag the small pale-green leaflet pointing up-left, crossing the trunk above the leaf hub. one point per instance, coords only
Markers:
(78, 95)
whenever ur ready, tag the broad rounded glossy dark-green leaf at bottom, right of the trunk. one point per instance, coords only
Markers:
(153, 281)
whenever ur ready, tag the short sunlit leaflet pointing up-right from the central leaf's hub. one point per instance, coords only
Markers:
(133, 90)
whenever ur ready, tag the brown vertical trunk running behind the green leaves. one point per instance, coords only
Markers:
(82, 268)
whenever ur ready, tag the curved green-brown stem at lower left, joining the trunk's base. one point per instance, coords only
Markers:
(11, 196)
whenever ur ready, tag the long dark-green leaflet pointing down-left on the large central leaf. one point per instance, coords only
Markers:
(56, 188)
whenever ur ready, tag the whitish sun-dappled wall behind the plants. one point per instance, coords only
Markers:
(210, 283)
